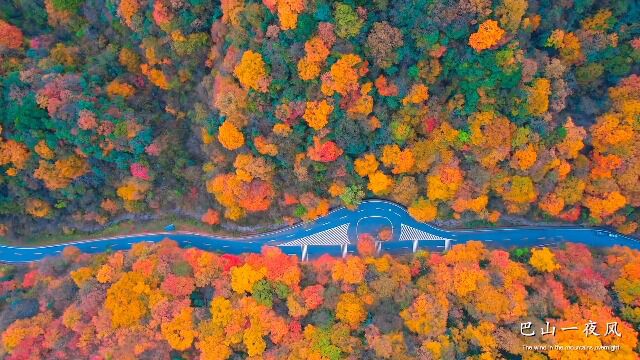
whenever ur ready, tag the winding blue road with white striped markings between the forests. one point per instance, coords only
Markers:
(336, 234)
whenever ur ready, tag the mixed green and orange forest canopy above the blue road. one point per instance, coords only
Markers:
(275, 111)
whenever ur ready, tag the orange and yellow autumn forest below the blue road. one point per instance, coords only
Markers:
(160, 301)
